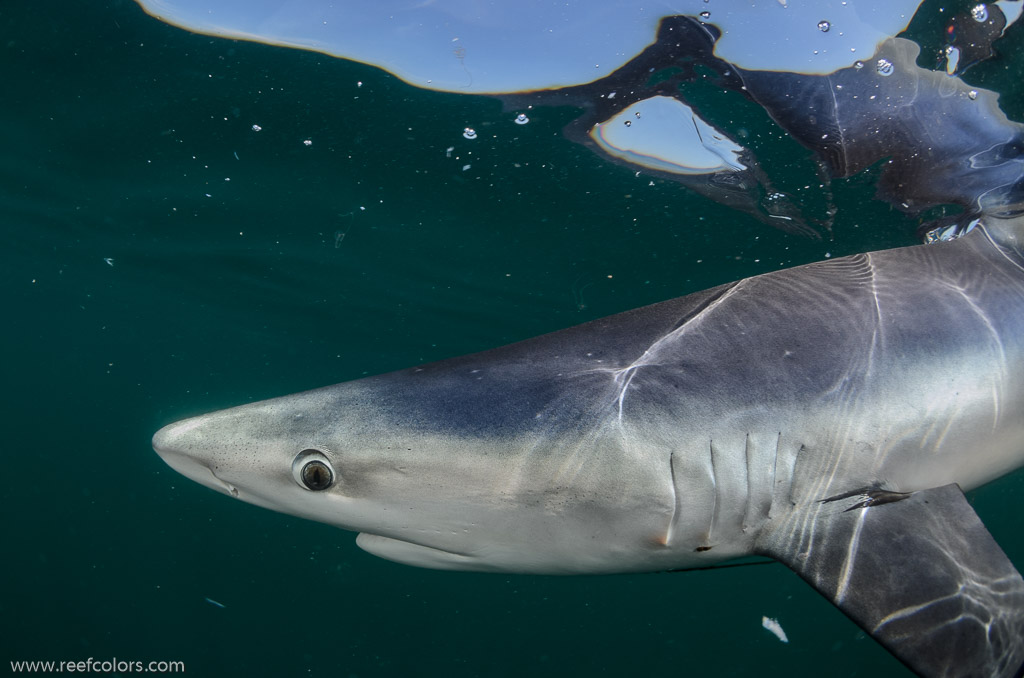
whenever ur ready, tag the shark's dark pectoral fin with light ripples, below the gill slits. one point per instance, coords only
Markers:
(919, 572)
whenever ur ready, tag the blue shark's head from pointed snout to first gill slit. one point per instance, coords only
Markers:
(457, 465)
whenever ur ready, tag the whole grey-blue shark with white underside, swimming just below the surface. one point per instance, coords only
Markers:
(829, 416)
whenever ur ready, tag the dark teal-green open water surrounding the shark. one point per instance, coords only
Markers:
(191, 224)
